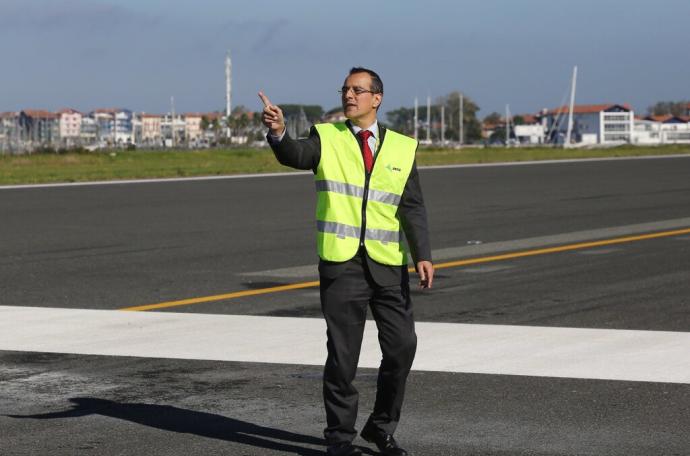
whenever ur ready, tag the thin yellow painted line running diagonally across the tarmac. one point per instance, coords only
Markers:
(449, 264)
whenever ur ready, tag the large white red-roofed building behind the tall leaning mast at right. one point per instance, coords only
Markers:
(592, 124)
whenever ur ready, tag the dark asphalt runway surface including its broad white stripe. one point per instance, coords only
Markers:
(110, 247)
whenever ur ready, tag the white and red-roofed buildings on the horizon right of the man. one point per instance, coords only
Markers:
(601, 124)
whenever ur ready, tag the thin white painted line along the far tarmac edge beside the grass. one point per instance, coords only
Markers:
(302, 173)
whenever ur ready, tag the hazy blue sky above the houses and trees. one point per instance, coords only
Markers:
(136, 54)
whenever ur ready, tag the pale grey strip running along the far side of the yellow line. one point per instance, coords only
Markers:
(475, 250)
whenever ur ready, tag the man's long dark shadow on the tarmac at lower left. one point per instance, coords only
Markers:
(203, 424)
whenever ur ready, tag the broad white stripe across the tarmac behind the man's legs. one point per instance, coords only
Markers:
(652, 356)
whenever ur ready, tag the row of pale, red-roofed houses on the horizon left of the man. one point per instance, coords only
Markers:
(32, 128)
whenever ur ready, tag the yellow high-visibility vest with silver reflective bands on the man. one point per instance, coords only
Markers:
(354, 209)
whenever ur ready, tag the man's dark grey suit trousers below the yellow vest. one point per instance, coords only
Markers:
(344, 302)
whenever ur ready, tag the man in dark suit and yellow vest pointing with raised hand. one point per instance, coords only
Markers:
(368, 193)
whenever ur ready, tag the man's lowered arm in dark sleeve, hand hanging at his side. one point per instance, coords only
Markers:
(414, 222)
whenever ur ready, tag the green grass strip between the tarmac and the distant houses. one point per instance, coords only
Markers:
(118, 164)
